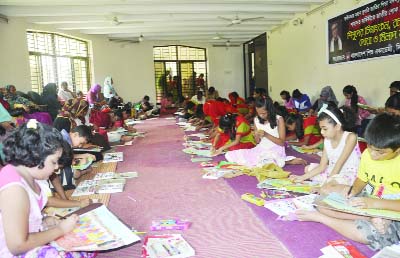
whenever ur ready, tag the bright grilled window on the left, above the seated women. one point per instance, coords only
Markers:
(57, 58)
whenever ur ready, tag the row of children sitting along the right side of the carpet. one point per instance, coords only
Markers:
(369, 179)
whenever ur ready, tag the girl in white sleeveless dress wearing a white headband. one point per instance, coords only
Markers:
(341, 155)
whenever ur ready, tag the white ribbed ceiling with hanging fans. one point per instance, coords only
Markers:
(210, 21)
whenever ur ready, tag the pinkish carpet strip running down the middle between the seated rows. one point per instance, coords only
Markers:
(170, 186)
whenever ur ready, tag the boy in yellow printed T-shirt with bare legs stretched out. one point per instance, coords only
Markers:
(376, 187)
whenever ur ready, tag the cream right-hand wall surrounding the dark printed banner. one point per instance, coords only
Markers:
(297, 59)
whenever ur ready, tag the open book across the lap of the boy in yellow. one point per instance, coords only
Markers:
(338, 202)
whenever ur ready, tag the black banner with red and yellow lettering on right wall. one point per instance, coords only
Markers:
(370, 31)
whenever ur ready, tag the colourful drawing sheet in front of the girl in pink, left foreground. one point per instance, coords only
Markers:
(98, 229)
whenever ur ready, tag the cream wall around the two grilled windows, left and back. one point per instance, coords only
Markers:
(130, 65)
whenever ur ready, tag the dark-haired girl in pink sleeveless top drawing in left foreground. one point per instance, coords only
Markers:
(32, 152)
